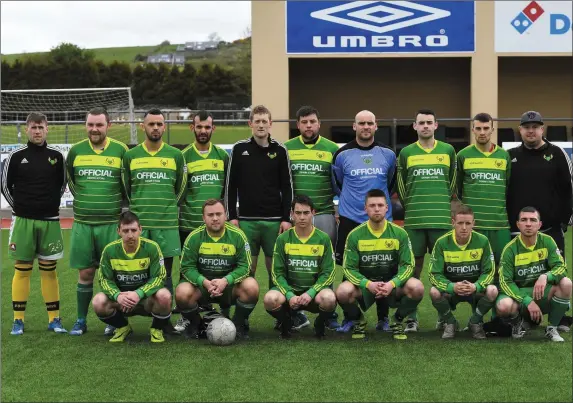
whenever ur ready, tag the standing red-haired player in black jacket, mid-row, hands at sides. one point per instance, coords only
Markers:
(259, 175)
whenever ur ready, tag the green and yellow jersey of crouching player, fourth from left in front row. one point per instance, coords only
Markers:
(378, 256)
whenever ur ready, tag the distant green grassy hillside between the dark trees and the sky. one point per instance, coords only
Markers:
(227, 55)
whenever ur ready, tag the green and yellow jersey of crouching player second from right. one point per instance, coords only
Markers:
(451, 263)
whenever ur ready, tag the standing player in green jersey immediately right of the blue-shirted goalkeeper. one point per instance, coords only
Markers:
(426, 183)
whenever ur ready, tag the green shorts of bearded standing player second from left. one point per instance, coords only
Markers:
(87, 243)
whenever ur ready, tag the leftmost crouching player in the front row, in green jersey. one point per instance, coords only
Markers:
(131, 276)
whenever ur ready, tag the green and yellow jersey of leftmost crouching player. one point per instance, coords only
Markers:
(142, 271)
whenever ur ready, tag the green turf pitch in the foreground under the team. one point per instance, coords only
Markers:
(42, 366)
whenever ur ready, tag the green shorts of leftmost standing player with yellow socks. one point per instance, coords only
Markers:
(30, 239)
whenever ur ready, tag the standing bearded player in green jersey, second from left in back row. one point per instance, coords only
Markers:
(94, 176)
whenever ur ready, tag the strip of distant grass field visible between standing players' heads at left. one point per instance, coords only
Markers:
(177, 134)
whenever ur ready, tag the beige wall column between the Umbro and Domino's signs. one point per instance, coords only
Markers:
(484, 84)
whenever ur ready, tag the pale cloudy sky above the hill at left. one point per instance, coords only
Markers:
(38, 26)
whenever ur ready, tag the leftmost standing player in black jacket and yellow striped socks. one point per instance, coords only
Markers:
(33, 181)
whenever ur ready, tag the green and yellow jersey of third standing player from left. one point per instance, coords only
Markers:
(155, 183)
